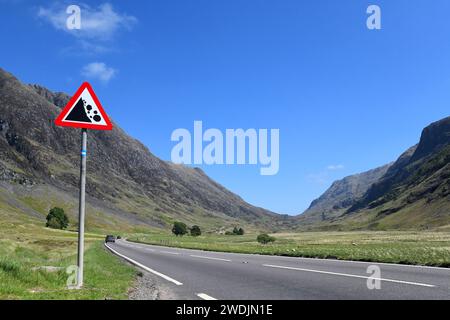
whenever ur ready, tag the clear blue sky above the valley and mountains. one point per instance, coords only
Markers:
(346, 99)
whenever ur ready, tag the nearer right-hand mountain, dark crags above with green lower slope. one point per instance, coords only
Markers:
(413, 193)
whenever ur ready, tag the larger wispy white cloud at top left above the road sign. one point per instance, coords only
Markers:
(101, 23)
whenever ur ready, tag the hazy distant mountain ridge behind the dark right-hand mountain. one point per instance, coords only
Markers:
(341, 195)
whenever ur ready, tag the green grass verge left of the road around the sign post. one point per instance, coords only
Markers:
(25, 246)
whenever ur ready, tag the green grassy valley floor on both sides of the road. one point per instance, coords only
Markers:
(28, 249)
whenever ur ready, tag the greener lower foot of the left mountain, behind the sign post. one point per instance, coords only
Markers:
(36, 202)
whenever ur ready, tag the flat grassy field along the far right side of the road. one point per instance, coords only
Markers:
(416, 248)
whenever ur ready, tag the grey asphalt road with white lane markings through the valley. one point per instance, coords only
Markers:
(196, 274)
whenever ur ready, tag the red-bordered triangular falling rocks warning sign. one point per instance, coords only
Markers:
(84, 111)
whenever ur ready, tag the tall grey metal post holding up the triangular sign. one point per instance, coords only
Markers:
(81, 212)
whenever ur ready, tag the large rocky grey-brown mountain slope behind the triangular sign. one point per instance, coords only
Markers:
(123, 176)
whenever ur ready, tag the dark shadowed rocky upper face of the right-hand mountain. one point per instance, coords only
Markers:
(421, 173)
